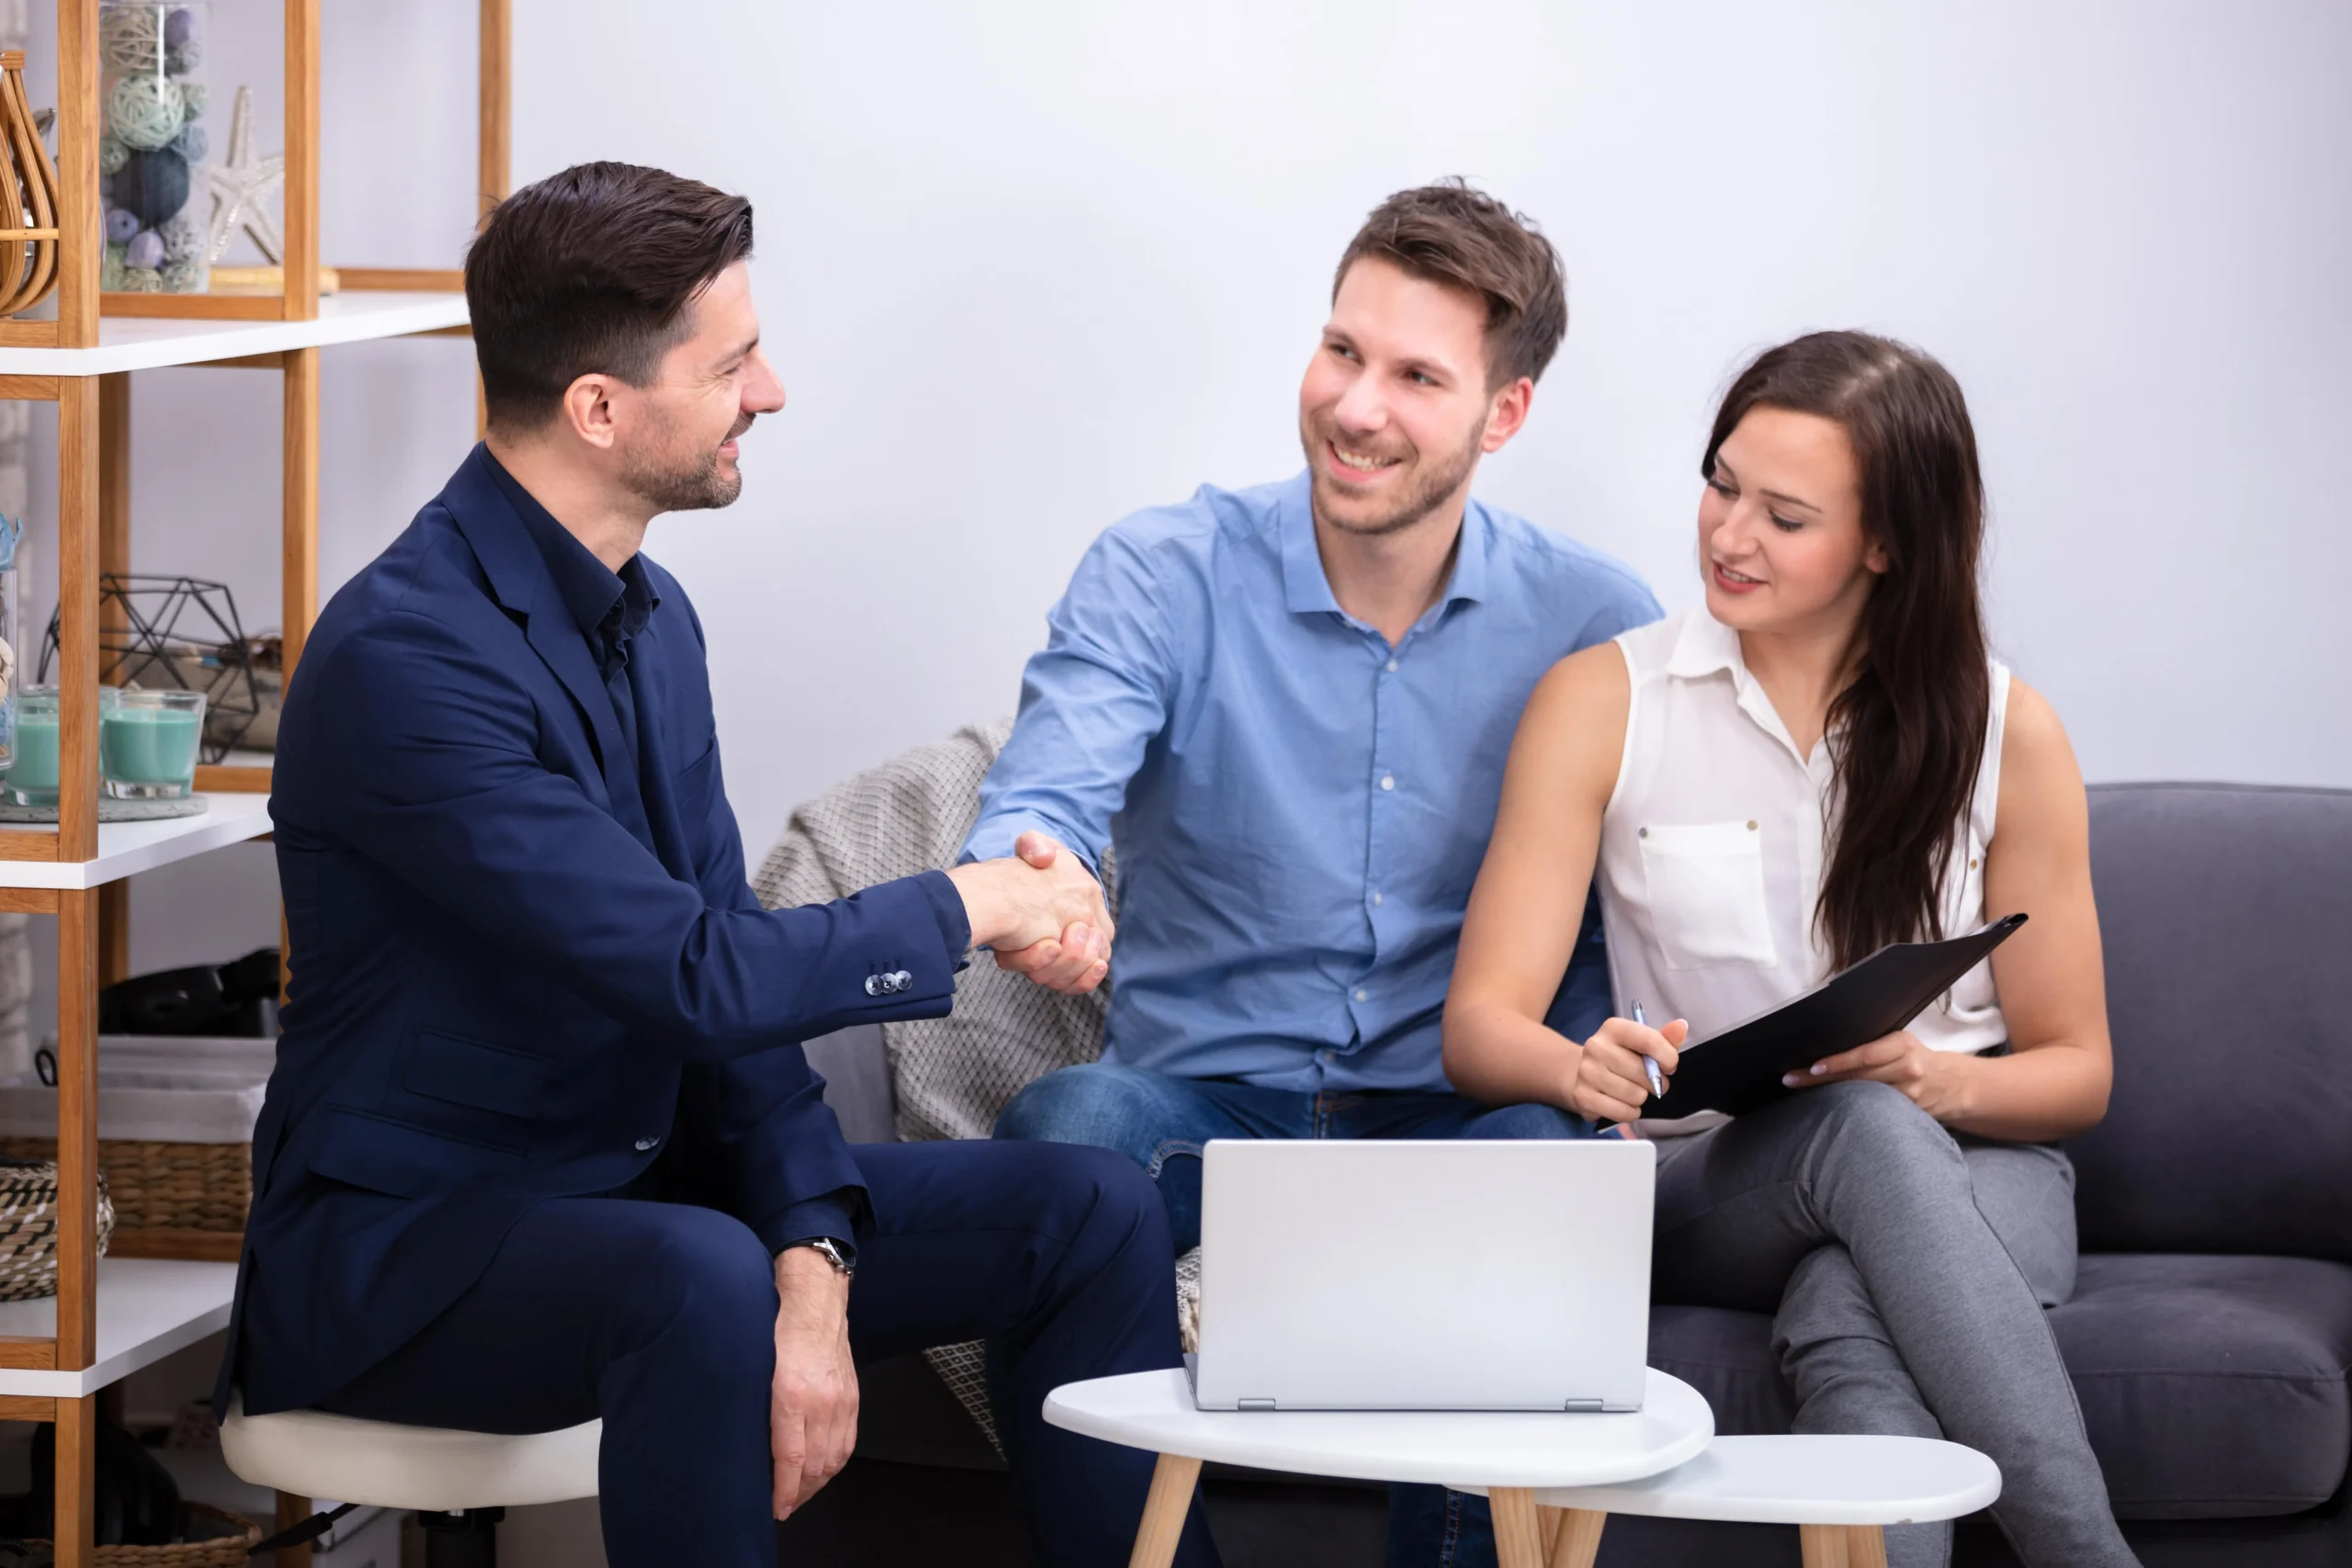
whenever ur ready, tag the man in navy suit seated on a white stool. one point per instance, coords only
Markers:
(542, 1144)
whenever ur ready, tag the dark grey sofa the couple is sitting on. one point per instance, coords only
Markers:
(2212, 1329)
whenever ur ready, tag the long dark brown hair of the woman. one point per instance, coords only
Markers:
(1909, 732)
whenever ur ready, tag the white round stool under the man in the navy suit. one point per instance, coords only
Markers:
(460, 1482)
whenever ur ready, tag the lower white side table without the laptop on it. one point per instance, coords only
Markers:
(1840, 1494)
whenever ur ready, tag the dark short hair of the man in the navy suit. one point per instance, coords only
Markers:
(592, 272)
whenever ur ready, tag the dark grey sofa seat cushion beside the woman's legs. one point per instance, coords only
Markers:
(2214, 1388)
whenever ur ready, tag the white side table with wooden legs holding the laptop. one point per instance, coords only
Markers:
(1502, 1454)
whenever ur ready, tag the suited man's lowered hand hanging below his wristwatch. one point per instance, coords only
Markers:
(813, 1416)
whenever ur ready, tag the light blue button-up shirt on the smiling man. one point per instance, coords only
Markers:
(1299, 808)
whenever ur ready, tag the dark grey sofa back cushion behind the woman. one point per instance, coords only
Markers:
(2226, 913)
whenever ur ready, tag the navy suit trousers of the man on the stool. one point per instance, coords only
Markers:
(660, 1318)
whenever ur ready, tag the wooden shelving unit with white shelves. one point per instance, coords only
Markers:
(123, 1313)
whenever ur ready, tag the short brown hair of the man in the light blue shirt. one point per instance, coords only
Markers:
(1469, 241)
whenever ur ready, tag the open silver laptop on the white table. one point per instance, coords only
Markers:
(1424, 1275)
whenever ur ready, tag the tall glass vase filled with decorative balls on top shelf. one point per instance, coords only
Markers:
(154, 147)
